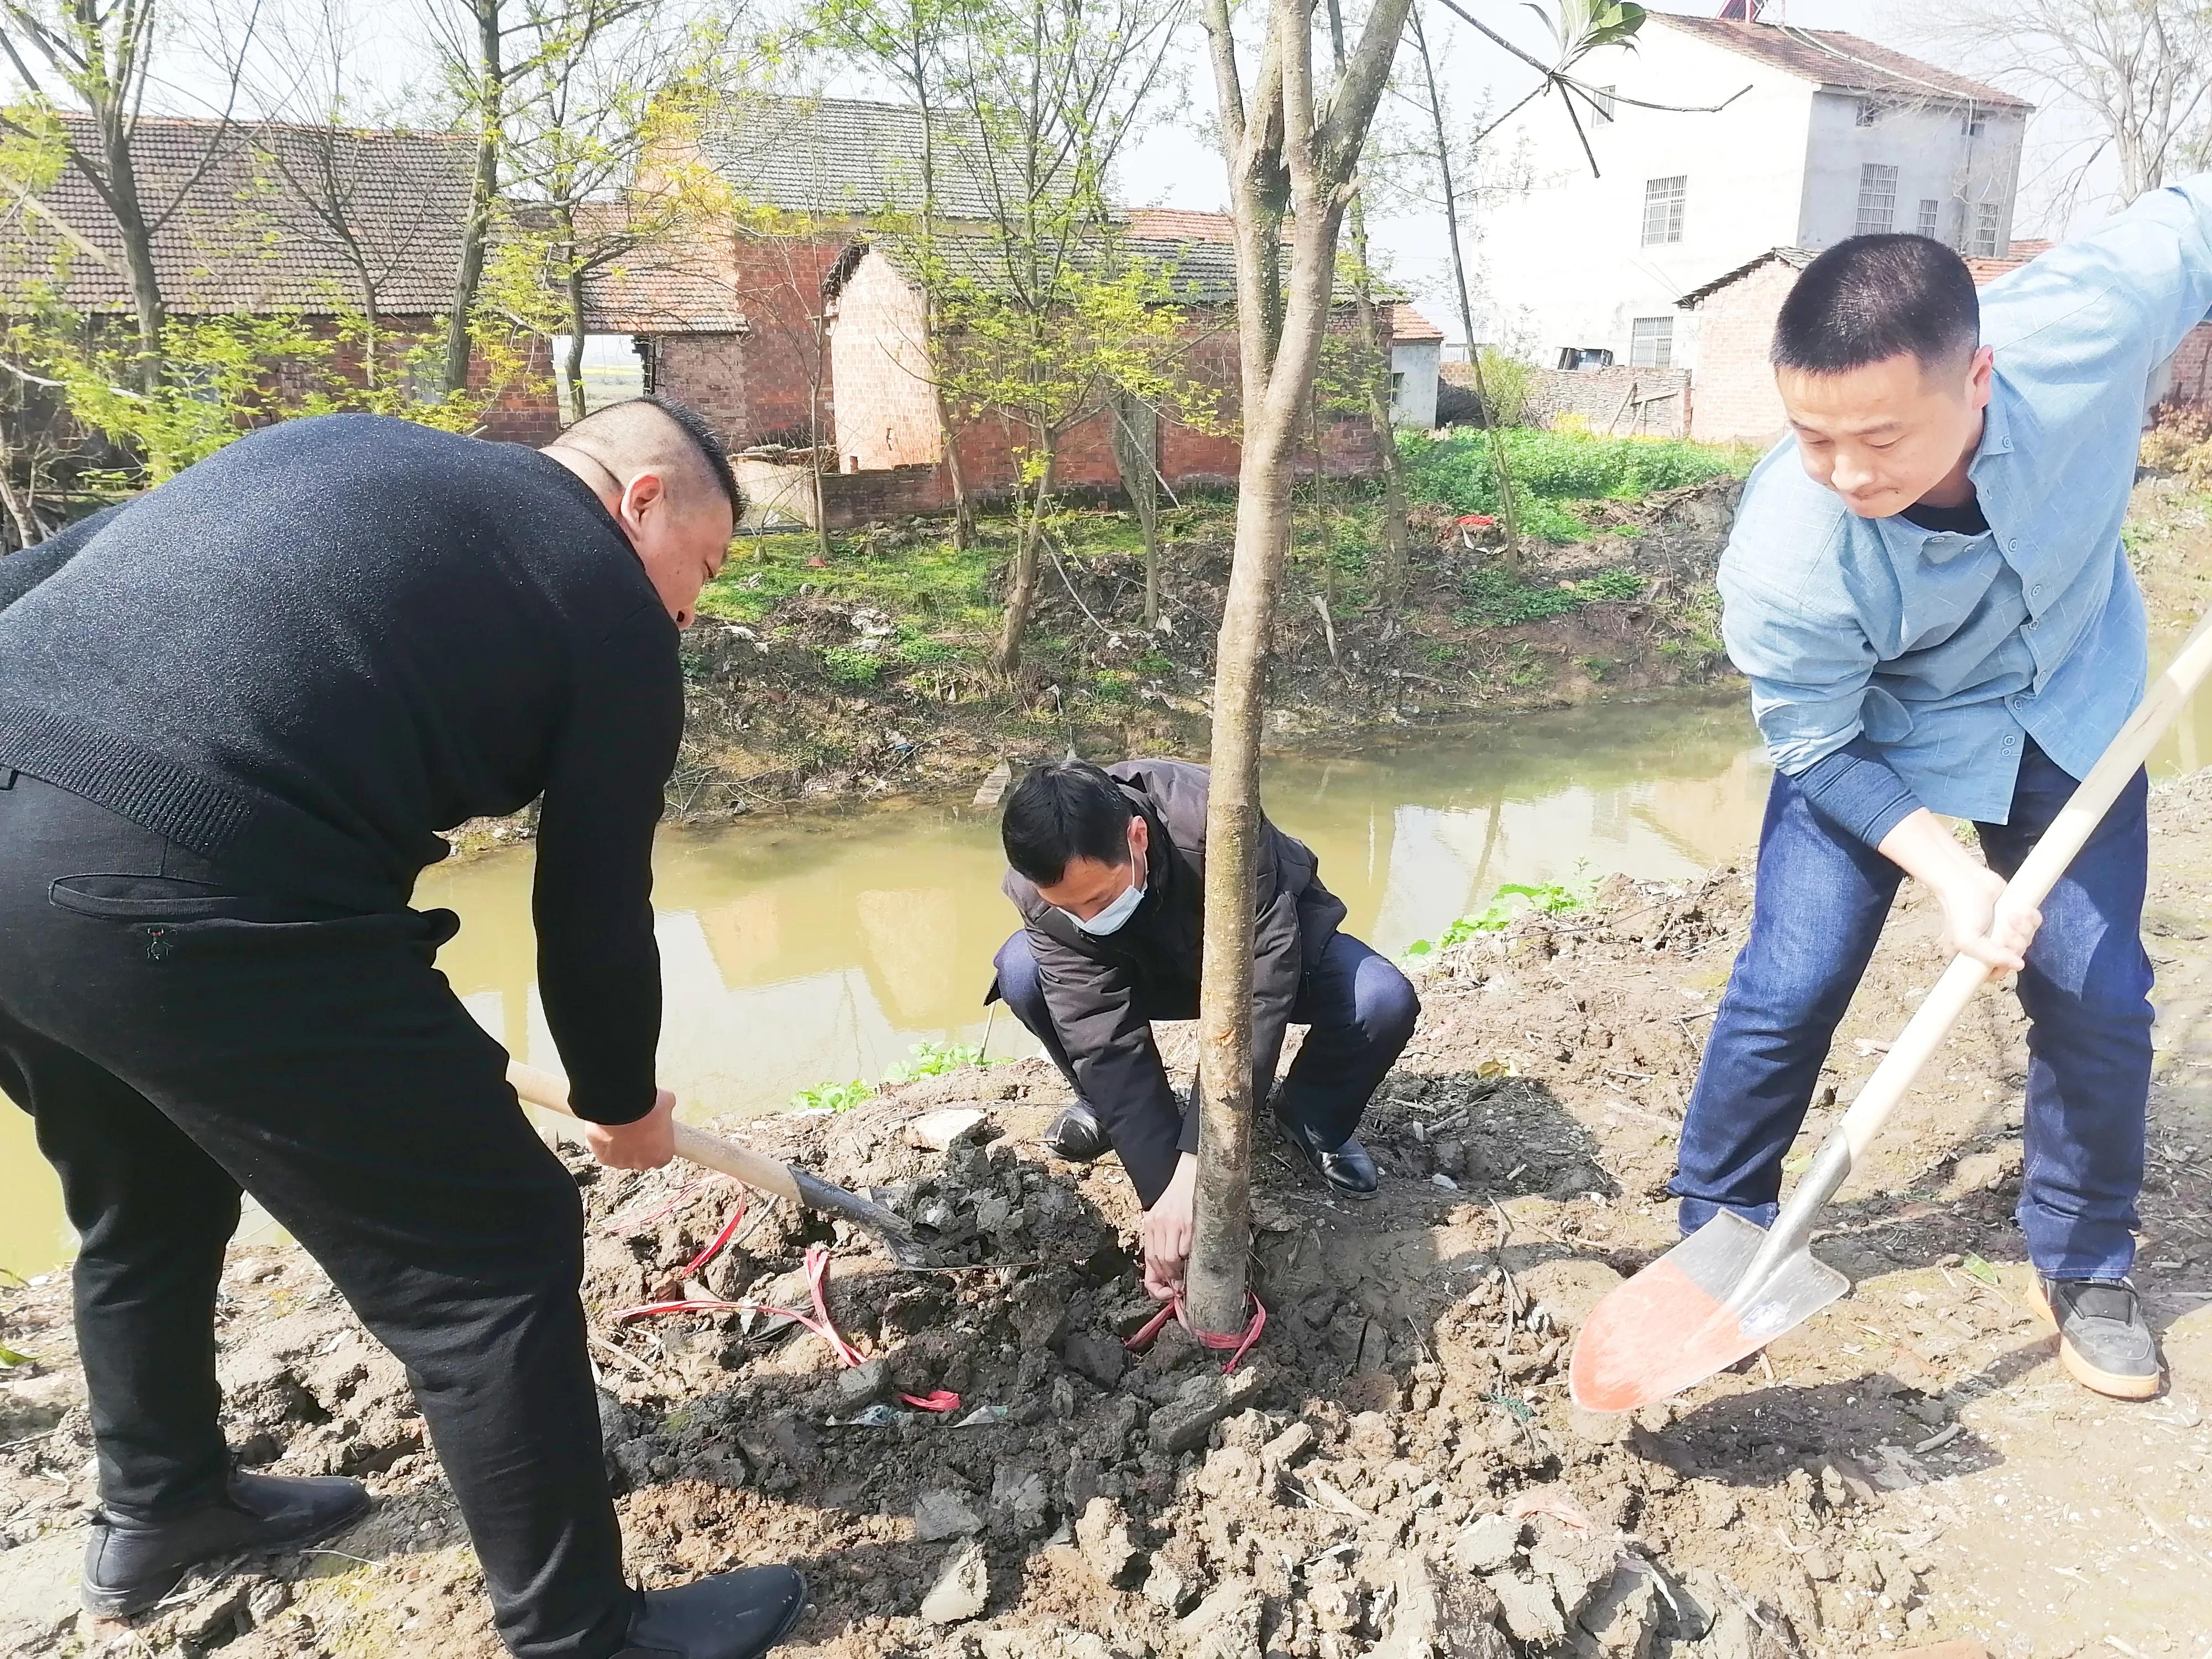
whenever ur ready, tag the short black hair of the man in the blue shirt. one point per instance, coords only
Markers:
(1877, 298)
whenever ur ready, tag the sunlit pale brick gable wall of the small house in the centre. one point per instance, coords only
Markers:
(886, 408)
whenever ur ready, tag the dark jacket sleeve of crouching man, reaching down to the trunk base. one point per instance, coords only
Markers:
(1116, 1061)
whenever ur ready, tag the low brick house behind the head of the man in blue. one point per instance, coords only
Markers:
(1735, 399)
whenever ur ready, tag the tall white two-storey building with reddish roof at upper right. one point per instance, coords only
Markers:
(1824, 136)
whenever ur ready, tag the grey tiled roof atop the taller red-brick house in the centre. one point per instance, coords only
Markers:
(846, 158)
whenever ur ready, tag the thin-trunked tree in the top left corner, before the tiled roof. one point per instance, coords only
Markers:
(101, 59)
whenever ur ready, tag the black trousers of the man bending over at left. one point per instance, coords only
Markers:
(180, 1036)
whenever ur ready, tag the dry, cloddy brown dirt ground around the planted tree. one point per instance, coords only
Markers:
(1395, 1470)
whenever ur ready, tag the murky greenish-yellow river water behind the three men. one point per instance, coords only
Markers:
(824, 946)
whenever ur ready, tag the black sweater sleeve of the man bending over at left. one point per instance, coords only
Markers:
(598, 963)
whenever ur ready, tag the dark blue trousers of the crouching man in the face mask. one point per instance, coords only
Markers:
(1359, 1012)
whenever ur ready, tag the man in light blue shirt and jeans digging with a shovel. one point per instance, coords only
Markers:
(1930, 596)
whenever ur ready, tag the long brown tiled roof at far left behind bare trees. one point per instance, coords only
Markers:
(242, 227)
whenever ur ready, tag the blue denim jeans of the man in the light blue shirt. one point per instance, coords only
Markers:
(2087, 992)
